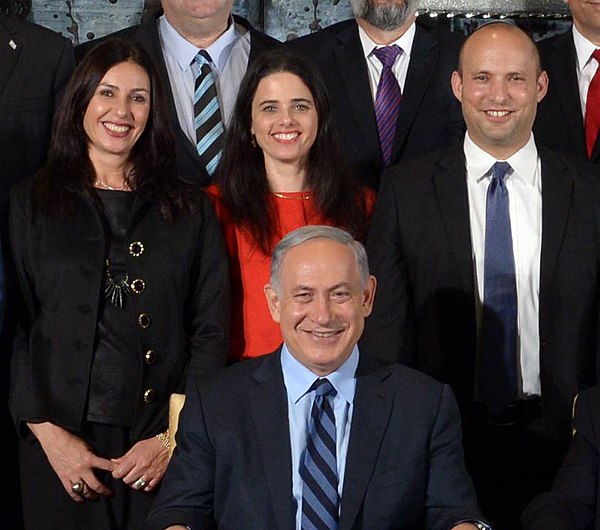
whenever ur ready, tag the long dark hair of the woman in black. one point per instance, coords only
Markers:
(69, 169)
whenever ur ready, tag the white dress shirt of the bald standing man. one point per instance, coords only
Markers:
(524, 185)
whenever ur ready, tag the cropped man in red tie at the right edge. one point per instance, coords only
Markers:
(568, 118)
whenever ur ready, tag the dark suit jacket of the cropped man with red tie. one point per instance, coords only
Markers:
(559, 122)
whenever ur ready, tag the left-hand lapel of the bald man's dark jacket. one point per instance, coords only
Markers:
(451, 189)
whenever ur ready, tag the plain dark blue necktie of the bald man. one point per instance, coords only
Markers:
(498, 381)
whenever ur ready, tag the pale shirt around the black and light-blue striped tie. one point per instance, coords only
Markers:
(229, 54)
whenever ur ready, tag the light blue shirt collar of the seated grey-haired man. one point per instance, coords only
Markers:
(298, 379)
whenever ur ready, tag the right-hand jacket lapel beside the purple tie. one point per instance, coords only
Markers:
(424, 55)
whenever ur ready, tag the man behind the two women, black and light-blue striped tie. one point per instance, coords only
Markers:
(202, 52)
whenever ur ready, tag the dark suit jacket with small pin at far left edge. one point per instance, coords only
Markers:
(33, 73)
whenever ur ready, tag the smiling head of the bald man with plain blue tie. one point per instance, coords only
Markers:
(499, 86)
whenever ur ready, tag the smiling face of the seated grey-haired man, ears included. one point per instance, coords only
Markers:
(322, 303)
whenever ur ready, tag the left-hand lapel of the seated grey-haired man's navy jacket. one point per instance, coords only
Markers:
(268, 404)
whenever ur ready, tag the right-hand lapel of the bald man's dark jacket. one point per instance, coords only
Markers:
(557, 191)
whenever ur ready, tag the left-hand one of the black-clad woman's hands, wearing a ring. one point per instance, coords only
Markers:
(73, 461)
